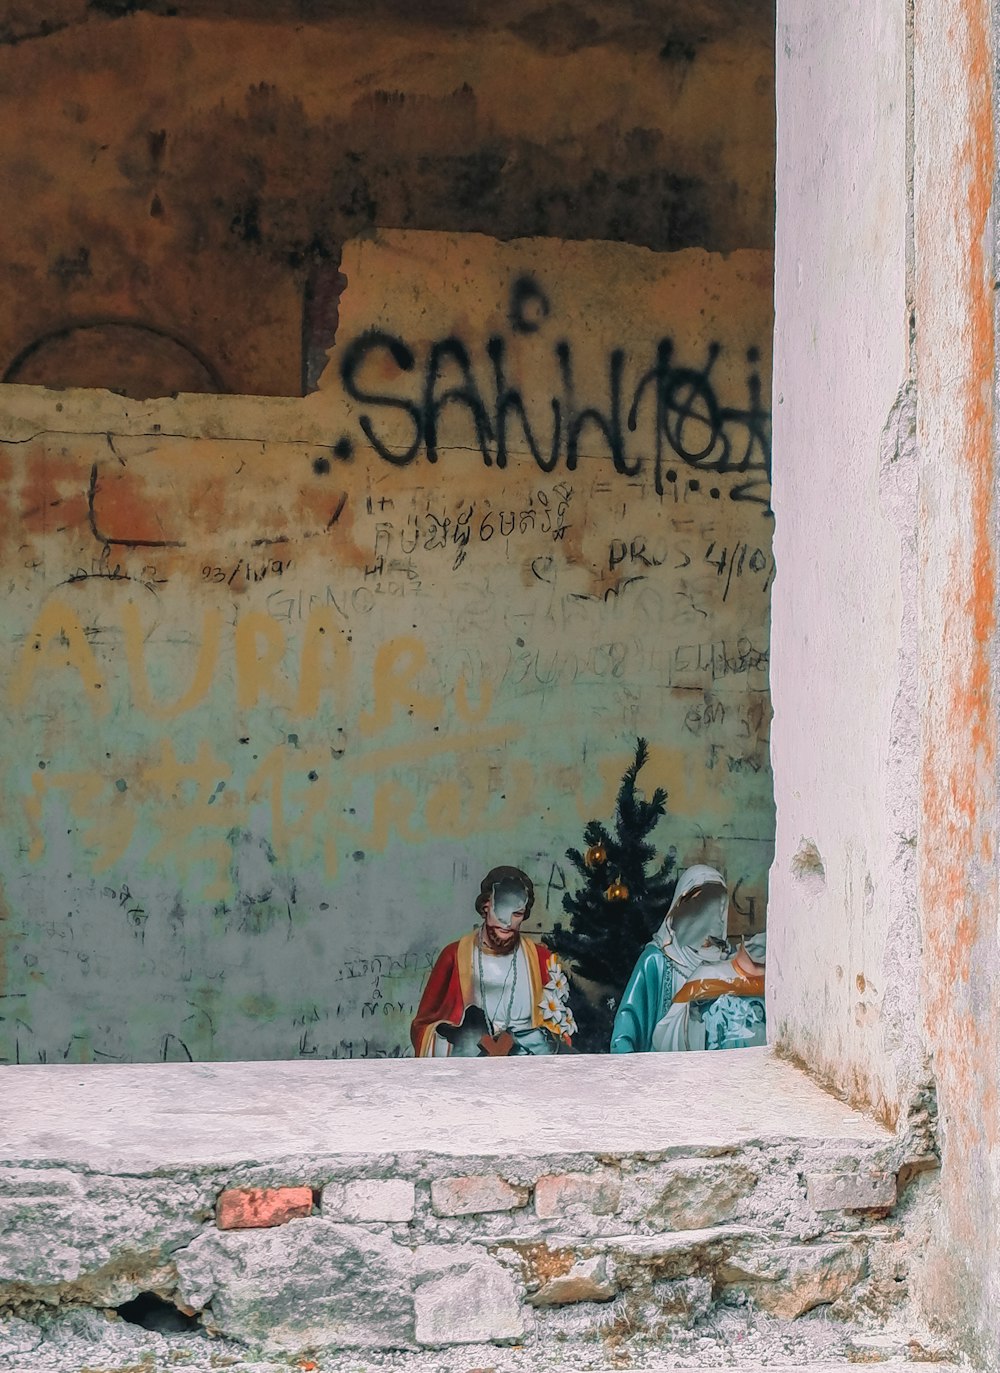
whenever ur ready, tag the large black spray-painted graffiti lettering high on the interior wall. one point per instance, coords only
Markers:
(690, 425)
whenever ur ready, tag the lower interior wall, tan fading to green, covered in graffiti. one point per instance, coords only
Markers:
(284, 679)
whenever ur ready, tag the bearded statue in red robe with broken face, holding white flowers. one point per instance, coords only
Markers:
(495, 992)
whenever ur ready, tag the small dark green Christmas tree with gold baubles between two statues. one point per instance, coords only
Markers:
(617, 908)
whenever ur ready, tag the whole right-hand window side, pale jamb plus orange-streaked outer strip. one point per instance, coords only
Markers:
(888, 803)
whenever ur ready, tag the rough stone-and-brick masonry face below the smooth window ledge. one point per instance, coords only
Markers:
(406, 1253)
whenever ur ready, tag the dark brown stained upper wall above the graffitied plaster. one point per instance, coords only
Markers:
(181, 183)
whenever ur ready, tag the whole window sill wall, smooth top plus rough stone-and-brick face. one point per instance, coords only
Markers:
(413, 1205)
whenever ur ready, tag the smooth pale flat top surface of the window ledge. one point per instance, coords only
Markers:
(149, 1118)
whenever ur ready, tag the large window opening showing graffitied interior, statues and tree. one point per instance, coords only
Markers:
(286, 680)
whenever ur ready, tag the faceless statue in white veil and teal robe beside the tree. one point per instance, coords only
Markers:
(689, 989)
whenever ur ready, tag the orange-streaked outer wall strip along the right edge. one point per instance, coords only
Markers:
(955, 296)
